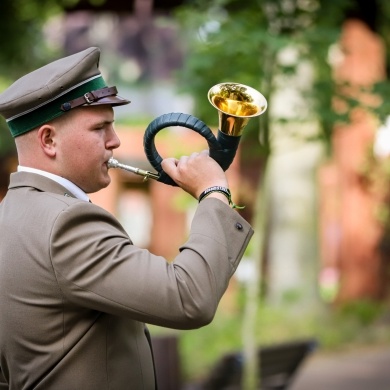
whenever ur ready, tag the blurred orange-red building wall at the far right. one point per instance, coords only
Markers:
(350, 232)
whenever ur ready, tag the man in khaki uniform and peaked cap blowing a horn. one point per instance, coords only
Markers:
(75, 293)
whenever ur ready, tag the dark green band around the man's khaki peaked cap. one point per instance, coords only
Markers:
(37, 117)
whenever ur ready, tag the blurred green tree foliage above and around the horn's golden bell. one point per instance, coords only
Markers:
(229, 41)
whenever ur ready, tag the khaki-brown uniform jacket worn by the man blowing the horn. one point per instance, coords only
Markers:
(75, 292)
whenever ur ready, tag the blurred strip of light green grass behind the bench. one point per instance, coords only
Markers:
(356, 324)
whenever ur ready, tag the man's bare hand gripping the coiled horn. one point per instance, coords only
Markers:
(195, 173)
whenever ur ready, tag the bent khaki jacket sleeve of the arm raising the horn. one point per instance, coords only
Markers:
(98, 267)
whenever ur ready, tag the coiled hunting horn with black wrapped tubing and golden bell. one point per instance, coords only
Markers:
(236, 104)
